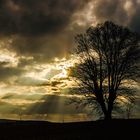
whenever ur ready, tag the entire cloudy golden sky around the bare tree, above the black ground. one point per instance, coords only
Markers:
(36, 41)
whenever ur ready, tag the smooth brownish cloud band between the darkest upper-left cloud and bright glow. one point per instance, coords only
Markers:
(42, 48)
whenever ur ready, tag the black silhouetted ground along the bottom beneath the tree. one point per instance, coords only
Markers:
(39, 130)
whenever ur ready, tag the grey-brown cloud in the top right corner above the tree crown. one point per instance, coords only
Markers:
(124, 12)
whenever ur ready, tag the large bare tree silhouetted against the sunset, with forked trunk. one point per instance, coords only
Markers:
(108, 56)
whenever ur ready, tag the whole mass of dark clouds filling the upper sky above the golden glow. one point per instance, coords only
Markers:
(43, 29)
